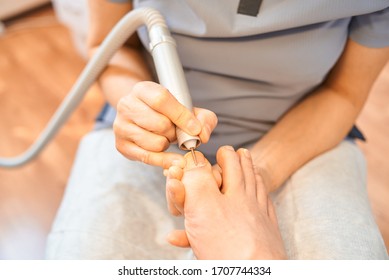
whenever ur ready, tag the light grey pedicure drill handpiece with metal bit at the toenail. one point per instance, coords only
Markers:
(171, 76)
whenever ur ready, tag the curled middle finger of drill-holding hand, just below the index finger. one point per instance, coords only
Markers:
(133, 110)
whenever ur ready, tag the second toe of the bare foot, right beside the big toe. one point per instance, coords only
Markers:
(232, 175)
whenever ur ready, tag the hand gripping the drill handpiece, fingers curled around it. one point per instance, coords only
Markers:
(146, 120)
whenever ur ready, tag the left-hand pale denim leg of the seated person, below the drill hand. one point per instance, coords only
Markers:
(113, 208)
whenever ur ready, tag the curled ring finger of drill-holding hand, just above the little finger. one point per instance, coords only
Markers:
(141, 137)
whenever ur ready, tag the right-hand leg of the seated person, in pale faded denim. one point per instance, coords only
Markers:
(324, 212)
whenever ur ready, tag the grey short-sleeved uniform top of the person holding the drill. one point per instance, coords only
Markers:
(250, 61)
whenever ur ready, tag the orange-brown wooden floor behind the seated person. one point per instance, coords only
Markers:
(38, 65)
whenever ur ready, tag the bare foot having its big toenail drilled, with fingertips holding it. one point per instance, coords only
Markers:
(238, 223)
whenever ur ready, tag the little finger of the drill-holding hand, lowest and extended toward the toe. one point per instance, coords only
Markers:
(134, 152)
